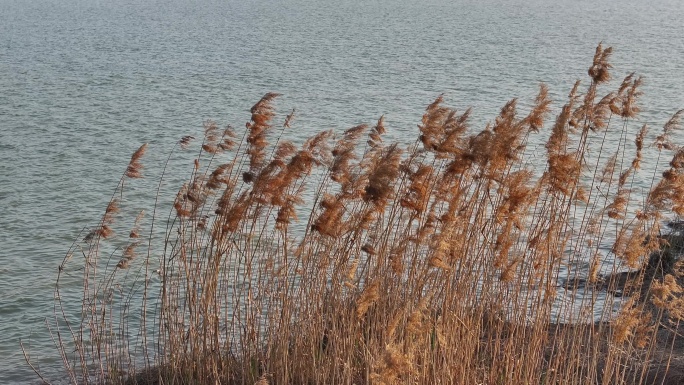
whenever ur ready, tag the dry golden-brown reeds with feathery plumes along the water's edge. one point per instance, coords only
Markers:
(348, 260)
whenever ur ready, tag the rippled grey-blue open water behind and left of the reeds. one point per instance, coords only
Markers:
(84, 83)
